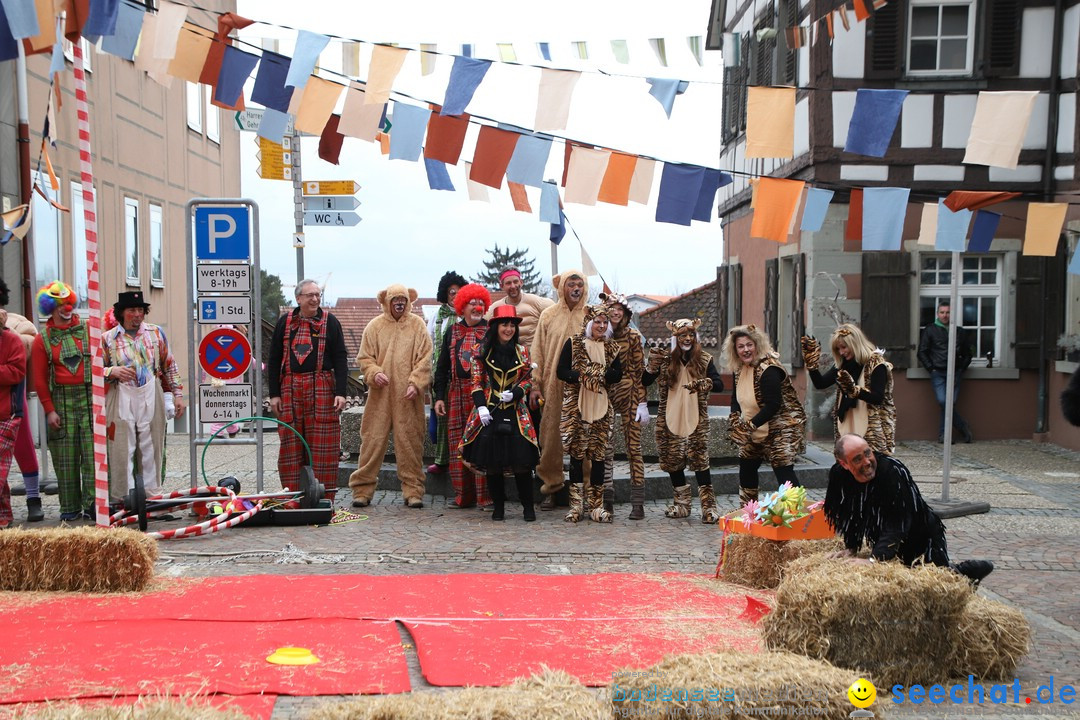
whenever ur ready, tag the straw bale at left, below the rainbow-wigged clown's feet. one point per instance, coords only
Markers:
(78, 560)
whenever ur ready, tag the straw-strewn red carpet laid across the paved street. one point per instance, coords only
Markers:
(211, 636)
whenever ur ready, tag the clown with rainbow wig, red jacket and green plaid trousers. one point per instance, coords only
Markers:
(62, 366)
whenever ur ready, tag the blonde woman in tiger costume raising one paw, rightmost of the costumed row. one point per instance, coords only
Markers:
(866, 410)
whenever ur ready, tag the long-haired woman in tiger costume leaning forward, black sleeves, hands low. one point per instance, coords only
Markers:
(767, 420)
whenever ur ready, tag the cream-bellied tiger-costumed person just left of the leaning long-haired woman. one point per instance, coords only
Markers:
(687, 376)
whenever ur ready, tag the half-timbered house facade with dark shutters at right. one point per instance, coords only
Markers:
(1014, 307)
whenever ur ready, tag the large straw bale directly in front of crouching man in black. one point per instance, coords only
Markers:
(899, 624)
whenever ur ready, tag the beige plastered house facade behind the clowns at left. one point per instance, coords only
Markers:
(155, 147)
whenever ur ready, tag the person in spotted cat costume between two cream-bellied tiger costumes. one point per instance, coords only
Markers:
(628, 399)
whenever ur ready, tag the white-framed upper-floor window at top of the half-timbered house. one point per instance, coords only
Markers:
(941, 37)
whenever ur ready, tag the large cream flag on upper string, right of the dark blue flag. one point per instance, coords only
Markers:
(998, 128)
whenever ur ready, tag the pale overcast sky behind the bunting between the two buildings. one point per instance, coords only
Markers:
(412, 235)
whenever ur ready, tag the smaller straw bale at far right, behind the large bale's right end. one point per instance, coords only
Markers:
(993, 639)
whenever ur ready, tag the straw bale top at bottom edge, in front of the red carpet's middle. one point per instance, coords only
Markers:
(548, 696)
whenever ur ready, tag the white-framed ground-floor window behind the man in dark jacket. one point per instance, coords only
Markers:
(979, 297)
